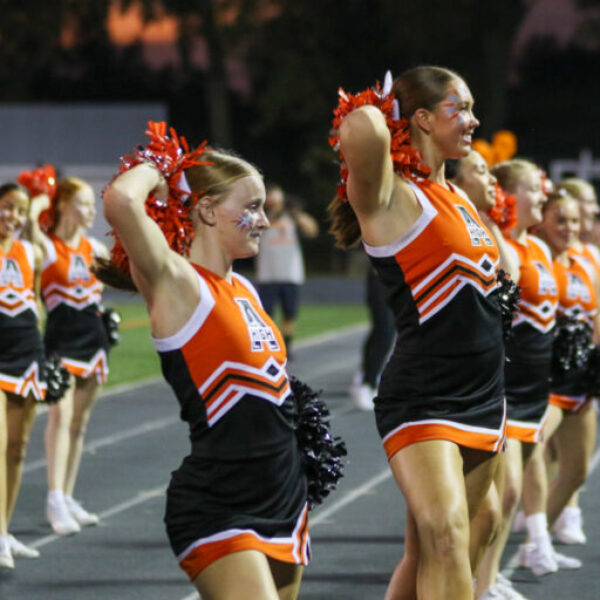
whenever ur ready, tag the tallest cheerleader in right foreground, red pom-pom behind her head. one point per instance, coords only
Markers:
(440, 406)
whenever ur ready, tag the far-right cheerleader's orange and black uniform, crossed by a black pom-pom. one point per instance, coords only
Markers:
(577, 298)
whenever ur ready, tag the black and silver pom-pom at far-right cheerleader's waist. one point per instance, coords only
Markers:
(572, 347)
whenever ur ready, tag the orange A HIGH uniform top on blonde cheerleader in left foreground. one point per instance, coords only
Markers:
(227, 368)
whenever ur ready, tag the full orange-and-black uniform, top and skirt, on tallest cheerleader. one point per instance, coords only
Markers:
(445, 378)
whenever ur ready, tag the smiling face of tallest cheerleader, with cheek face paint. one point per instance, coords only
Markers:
(453, 121)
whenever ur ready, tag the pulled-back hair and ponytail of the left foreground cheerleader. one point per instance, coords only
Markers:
(213, 180)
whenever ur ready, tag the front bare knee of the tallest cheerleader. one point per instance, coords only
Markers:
(444, 533)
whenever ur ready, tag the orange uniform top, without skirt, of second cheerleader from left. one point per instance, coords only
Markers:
(66, 276)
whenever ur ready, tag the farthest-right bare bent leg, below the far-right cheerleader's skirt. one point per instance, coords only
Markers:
(573, 446)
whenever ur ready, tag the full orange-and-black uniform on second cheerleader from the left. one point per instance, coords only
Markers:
(72, 294)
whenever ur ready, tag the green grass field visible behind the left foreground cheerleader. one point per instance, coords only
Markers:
(135, 357)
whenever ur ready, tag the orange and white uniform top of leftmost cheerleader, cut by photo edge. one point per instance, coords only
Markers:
(17, 282)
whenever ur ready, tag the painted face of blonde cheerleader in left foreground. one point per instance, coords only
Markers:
(240, 217)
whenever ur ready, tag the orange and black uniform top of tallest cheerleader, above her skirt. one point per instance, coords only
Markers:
(441, 276)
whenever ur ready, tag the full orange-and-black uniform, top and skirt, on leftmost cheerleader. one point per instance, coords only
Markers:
(21, 348)
